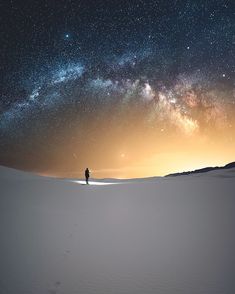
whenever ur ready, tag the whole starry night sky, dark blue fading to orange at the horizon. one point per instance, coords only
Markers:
(126, 88)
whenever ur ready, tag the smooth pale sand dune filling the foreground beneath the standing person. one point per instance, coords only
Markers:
(147, 236)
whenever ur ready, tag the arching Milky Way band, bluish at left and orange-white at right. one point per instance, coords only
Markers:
(178, 103)
